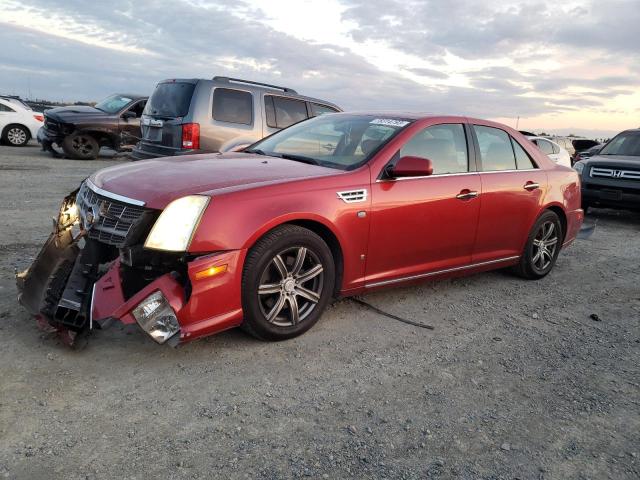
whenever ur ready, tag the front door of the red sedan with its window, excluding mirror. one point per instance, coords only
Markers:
(422, 225)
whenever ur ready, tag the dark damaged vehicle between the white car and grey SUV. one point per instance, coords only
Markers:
(81, 130)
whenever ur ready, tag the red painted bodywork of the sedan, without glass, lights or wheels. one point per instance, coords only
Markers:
(415, 227)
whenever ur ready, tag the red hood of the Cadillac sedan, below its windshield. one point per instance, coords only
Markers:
(159, 181)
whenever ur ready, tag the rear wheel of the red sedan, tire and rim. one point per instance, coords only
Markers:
(538, 258)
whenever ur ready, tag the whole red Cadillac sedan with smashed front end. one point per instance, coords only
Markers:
(333, 206)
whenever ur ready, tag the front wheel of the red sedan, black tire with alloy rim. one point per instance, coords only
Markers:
(291, 293)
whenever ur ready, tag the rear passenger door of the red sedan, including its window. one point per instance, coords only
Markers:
(512, 189)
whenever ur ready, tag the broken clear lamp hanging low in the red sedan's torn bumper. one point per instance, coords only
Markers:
(156, 317)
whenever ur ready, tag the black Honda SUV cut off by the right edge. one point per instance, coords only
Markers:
(611, 178)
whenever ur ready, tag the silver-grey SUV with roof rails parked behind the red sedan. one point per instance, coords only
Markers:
(185, 116)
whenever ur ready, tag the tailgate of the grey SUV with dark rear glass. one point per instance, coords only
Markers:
(163, 116)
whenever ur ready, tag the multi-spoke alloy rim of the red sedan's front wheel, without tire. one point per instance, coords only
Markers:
(291, 286)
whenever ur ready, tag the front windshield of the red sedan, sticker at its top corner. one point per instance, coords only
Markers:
(339, 141)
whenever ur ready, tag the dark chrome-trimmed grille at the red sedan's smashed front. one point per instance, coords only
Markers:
(105, 219)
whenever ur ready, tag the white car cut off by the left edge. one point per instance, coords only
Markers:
(18, 123)
